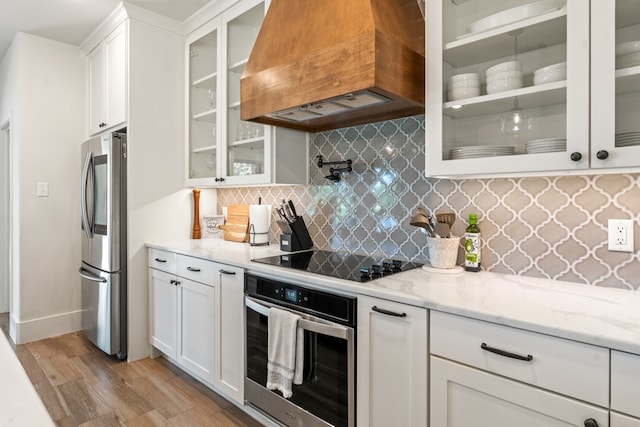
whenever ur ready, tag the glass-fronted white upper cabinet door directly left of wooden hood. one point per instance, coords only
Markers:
(247, 145)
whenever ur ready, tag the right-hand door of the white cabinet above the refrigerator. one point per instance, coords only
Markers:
(116, 84)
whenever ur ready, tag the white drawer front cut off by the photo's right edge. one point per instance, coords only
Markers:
(625, 382)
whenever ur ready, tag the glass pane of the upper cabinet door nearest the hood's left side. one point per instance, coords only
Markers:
(245, 140)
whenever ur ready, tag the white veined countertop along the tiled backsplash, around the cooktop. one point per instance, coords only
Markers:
(596, 315)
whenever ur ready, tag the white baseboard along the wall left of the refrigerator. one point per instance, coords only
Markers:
(44, 327)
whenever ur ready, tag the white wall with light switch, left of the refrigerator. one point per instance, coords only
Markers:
(47, 102)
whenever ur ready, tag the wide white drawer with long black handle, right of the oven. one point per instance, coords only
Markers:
(568, 367)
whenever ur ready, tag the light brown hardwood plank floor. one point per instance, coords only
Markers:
(81, 386)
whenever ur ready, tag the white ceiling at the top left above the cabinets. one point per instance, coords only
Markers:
(71, 21)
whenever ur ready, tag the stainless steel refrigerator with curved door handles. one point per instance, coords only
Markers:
(104, 242)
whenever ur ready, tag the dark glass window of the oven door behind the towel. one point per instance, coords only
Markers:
(324, 388)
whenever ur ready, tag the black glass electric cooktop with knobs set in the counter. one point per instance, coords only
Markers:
(358, 268)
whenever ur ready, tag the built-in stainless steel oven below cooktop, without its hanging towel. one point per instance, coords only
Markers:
(326, 396)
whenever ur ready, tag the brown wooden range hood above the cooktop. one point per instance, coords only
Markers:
(327, 64)
